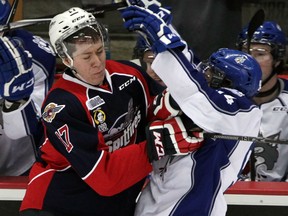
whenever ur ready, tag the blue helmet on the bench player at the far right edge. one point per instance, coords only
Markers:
(269, 33)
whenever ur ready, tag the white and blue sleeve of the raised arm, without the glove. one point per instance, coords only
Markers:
(220, 110)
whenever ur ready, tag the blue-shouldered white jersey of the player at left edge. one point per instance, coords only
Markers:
(20, 128)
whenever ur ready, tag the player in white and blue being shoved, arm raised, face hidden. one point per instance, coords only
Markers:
(194, 184)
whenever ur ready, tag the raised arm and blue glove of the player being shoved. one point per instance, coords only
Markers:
(187, 86)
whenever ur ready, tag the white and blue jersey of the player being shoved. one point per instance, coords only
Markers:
(195, 184)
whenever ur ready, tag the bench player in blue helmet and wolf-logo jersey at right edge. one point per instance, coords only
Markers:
(268, 45)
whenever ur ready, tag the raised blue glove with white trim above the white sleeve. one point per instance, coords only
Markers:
(153, 27)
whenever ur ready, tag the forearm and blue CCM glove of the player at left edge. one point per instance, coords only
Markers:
(16, 87)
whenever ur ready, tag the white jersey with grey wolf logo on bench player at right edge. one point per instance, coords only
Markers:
(271, 159)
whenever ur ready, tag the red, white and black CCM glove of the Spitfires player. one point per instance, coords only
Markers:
(171, 138)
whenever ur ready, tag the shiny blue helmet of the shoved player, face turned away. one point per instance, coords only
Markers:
(241, 70)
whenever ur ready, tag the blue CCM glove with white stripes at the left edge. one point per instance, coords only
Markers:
(16, 76)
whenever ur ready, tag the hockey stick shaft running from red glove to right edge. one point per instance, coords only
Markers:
(244, 138)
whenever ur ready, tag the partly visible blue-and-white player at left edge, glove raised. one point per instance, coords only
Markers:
(27, 65)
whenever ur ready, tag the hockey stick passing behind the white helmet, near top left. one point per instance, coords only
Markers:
(44, 20)
